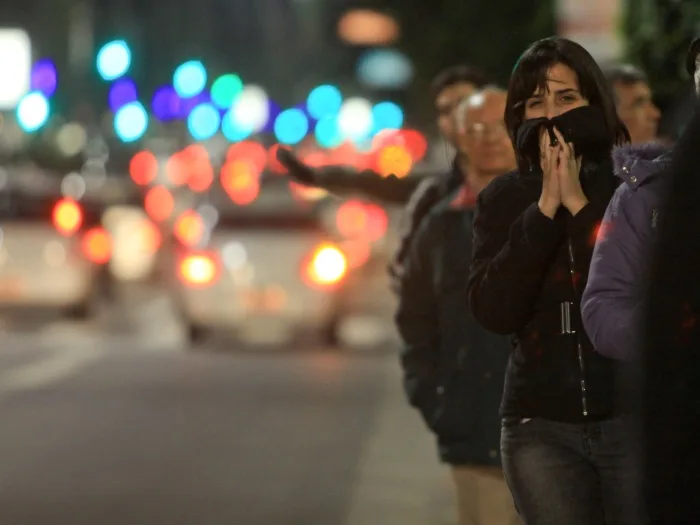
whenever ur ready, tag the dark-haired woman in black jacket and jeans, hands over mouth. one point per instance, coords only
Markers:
(569, 456)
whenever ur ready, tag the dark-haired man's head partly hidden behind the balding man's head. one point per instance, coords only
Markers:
(448, 88)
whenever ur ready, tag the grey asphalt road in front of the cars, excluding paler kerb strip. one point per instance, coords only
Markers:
(143, 438)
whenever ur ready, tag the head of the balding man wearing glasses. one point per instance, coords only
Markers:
(482, 133)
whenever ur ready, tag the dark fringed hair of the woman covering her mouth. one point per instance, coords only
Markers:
(530, 74)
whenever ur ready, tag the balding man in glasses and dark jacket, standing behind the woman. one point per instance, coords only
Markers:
(453, 368)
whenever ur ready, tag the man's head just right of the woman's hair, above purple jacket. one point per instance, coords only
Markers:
(633, 99)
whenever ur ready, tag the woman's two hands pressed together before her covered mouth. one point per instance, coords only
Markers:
(561, 171)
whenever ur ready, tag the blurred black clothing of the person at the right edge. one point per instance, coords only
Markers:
(671, 360)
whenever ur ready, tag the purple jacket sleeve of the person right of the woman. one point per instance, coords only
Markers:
(611, 303)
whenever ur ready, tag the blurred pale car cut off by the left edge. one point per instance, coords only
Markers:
(53, 252)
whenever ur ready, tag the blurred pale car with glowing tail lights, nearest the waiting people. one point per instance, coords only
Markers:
(262, 267)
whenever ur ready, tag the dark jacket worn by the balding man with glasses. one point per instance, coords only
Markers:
(453, 368)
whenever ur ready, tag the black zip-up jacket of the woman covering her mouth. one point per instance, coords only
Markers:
(527, 276)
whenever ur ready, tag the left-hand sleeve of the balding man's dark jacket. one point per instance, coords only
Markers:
(417, 322)
